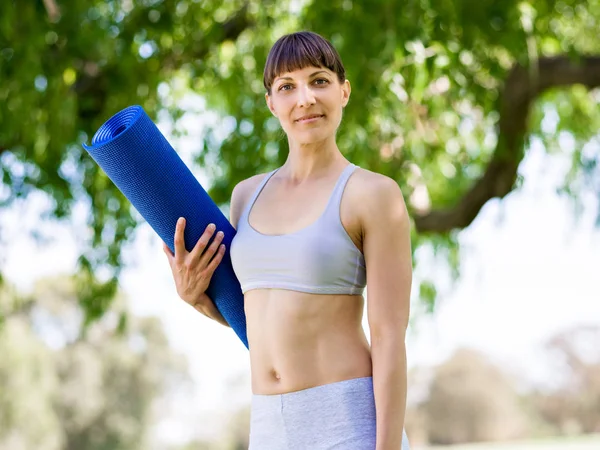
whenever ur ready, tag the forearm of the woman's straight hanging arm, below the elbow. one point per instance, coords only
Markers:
(389, 386)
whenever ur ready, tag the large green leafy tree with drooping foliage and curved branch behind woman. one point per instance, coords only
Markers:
(447, 96)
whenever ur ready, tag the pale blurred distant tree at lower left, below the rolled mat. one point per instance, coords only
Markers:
(94, 388)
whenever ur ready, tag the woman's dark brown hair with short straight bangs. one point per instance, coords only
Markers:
(299, 50)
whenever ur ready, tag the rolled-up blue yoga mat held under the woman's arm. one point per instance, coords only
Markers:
(147, 170)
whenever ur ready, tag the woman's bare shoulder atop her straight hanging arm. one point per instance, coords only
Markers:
(377, 199)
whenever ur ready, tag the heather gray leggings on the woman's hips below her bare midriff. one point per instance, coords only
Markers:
(336, 416)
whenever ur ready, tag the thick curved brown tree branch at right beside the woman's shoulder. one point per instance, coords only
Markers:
(501, 173)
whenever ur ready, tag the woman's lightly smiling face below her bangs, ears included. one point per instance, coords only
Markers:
(308, 103)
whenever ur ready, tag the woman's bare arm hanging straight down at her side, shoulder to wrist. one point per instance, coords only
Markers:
(386, 246)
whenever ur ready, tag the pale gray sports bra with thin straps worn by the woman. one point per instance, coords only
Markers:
(318, 259)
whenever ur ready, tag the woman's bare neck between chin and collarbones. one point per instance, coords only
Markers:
(306, 161)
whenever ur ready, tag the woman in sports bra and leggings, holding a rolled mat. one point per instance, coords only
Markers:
(309, 235)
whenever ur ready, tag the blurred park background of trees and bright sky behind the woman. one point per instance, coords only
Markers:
(485, 112)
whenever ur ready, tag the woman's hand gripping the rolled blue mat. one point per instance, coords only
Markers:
(192, 271)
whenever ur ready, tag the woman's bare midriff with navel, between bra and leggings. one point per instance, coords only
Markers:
(299, 341)
